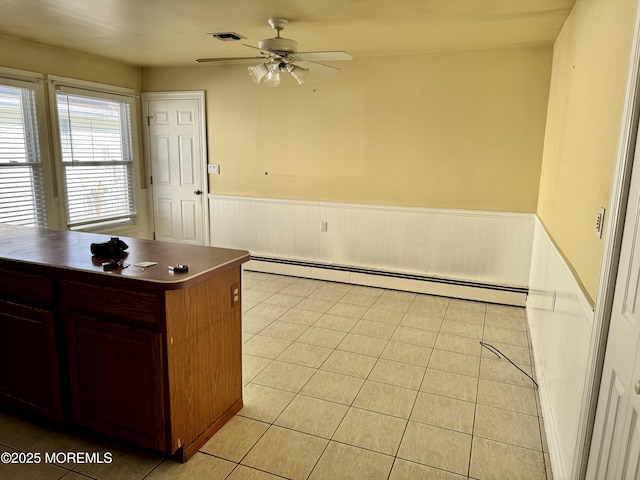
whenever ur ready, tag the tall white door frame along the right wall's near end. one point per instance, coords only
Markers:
(610, 261)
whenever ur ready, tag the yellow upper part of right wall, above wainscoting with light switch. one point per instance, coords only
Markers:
(585, 104)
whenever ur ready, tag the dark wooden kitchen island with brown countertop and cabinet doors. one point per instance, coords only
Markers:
(146, 355)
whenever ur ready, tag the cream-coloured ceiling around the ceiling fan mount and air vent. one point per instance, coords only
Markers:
(174, 32)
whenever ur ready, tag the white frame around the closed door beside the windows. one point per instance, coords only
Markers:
(198, 95)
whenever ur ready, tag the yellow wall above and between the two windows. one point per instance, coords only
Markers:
(31, 57)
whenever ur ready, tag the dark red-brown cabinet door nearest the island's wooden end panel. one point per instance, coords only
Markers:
(116, 379)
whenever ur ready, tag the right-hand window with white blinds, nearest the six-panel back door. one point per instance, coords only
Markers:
(96, 154)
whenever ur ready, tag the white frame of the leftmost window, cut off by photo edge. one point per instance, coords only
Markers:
(35, 81)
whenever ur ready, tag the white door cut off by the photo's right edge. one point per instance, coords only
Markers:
(615, 448)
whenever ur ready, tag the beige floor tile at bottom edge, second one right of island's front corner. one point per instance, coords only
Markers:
(285, 452)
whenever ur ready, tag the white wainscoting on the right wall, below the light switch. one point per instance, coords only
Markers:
(561, 328)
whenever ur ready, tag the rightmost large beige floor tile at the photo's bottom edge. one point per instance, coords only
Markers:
(498, 461)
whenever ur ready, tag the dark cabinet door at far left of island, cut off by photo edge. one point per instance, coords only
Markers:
(29, 375)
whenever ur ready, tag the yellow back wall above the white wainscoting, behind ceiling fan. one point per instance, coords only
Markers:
(444, 130)
